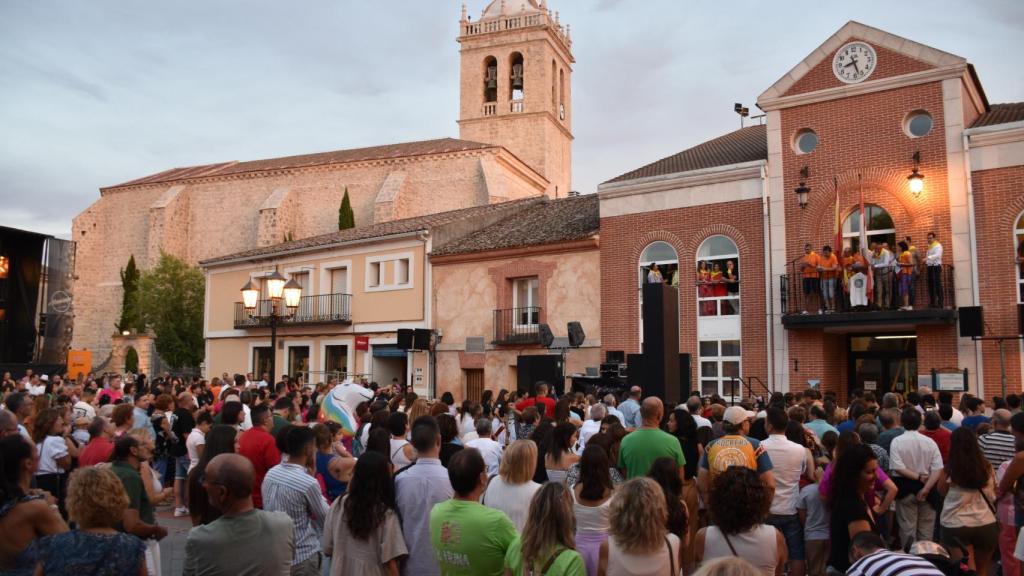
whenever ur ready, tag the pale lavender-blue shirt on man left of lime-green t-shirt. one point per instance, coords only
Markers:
(418, 488)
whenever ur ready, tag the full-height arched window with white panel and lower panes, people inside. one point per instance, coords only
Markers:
(717, 281)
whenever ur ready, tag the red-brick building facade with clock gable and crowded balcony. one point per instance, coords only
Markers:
(846, 128)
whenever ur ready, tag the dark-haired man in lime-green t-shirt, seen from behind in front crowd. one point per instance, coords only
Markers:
(470, 539)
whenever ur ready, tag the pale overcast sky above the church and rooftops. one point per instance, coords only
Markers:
(101, 92)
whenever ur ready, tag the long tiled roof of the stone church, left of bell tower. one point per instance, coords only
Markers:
(422, 148)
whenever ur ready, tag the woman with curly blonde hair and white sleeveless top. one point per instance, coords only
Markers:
(638, 544)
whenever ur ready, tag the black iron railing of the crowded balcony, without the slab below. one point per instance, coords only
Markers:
(930, 290)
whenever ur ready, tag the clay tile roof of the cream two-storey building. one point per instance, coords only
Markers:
(372, 232)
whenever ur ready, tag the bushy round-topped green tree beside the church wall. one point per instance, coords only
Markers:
(172, 298)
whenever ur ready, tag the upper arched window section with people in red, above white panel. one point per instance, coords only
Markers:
(718, 277)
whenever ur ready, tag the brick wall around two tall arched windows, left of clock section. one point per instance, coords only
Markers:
(623, 240)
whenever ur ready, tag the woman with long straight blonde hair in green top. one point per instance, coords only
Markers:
(546, 546)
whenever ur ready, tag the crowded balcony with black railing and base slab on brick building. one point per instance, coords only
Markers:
(930, 300)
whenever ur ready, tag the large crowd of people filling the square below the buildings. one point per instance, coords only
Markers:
(513, 484)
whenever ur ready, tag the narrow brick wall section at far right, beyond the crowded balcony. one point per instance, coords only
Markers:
(999, 197)
